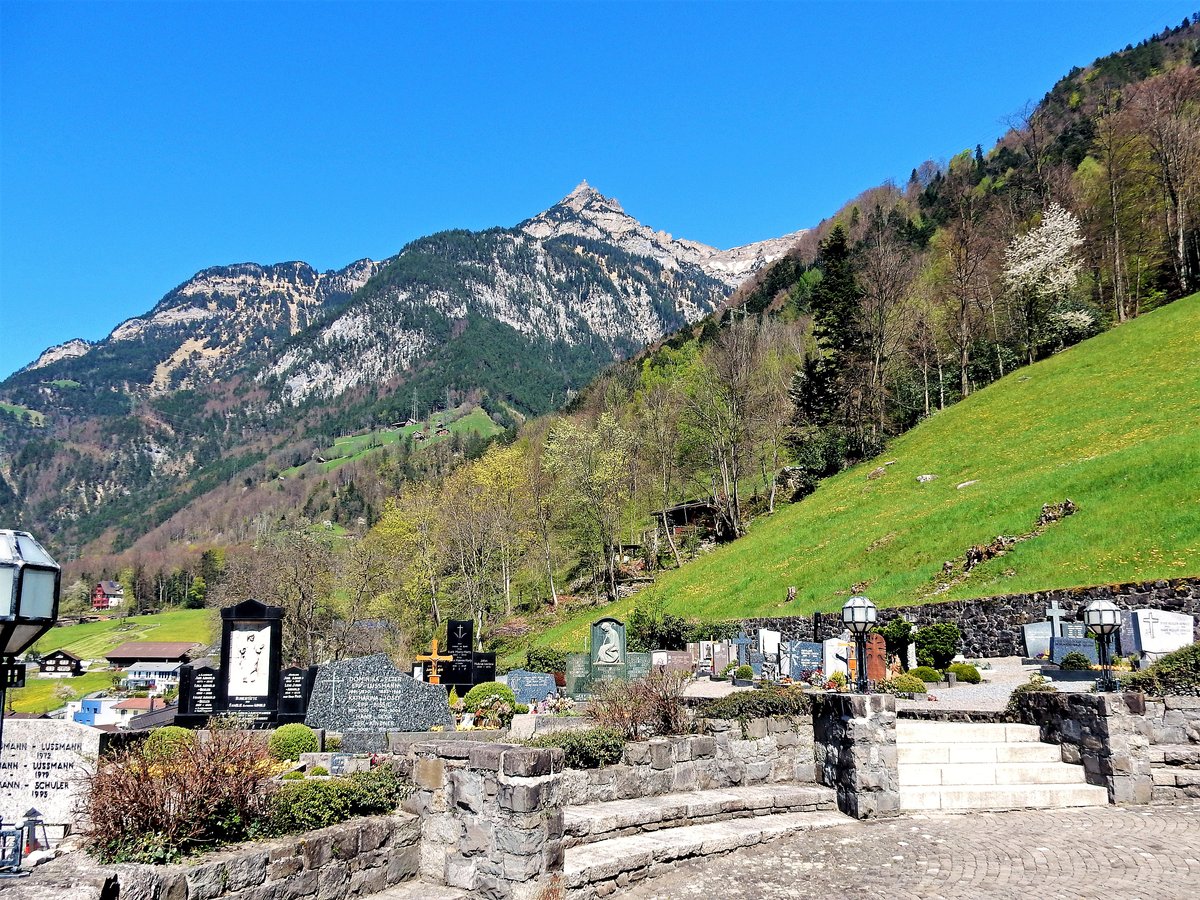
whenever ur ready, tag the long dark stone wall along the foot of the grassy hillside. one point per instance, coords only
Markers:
(992, 627)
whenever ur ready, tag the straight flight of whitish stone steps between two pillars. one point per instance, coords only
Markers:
(986, 766)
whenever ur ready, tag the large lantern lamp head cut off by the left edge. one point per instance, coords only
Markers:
(29, 591)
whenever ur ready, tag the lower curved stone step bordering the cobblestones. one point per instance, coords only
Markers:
(598, 869)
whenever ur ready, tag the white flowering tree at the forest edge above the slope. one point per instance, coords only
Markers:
(1042, 267)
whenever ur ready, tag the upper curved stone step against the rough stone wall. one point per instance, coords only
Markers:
(619, 819)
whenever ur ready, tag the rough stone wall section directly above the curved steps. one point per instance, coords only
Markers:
(777, 751)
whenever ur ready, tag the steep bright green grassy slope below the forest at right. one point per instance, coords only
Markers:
(1113, 424)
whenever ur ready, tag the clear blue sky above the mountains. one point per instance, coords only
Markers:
(143, 142)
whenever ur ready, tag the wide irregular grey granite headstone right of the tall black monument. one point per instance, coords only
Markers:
(364, 699)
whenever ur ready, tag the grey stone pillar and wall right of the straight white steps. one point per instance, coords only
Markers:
(1106, 733)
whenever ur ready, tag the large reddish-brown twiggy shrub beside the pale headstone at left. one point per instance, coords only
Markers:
(206, 794)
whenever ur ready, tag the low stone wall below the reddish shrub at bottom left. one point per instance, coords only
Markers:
(356, 859)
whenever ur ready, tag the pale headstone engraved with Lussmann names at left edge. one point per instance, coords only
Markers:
(43, 767)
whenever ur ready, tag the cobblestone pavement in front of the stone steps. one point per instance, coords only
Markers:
(1132, 854)
